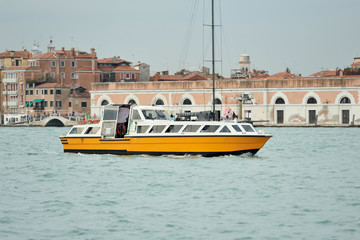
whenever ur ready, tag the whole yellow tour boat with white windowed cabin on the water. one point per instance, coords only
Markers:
(131, 129)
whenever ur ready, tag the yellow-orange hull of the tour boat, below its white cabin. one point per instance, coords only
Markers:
(176, 145)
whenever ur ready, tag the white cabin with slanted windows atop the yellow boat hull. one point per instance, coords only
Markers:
(121, 120)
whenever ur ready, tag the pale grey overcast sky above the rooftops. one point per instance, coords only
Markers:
(305, 35)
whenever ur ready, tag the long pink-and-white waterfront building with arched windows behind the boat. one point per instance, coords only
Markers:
(293, 102)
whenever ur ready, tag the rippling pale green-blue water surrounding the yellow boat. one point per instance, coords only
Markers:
(304, 184)
